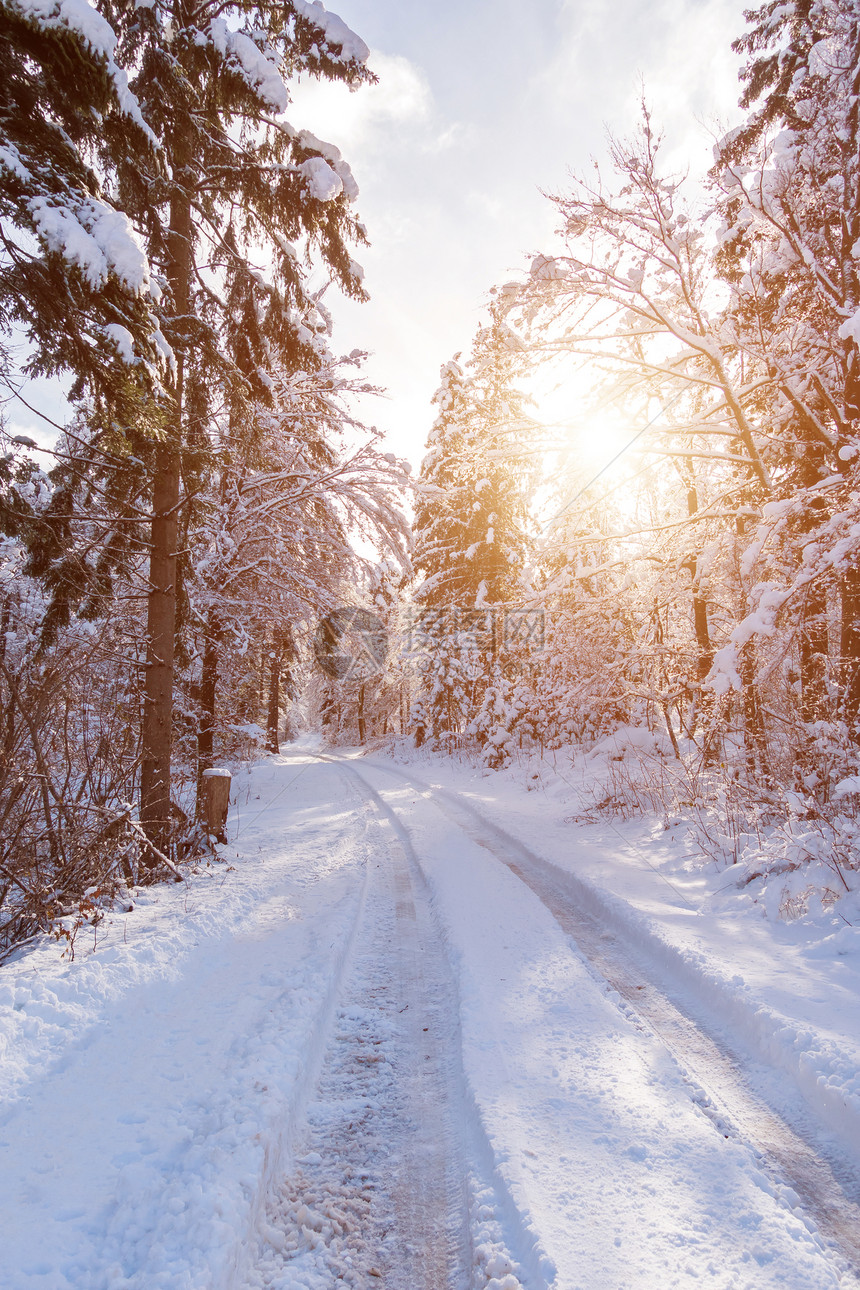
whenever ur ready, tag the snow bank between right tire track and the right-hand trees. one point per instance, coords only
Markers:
(790, 991)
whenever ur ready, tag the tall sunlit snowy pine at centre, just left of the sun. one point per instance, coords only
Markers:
(471, 524)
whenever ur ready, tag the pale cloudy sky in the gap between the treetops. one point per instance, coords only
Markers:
(482, 109)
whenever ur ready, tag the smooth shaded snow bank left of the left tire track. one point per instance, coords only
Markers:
(153, 1086)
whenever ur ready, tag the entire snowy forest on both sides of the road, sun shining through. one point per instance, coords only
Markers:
(219, 551)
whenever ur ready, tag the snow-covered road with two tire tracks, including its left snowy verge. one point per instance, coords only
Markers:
(393, 1047)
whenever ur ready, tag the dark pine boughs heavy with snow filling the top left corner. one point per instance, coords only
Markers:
(74, 277)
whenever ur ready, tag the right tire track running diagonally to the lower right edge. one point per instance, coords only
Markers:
(803, 1177)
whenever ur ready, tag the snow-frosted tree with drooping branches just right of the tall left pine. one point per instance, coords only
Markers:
(291, 488)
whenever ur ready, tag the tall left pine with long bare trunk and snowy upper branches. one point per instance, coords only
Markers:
(237, 186)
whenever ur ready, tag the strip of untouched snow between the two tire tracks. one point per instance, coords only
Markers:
(622, 1180)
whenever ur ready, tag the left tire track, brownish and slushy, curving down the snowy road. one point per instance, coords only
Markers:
(380, 1195)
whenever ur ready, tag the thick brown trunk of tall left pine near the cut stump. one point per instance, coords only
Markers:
(162, 610)
